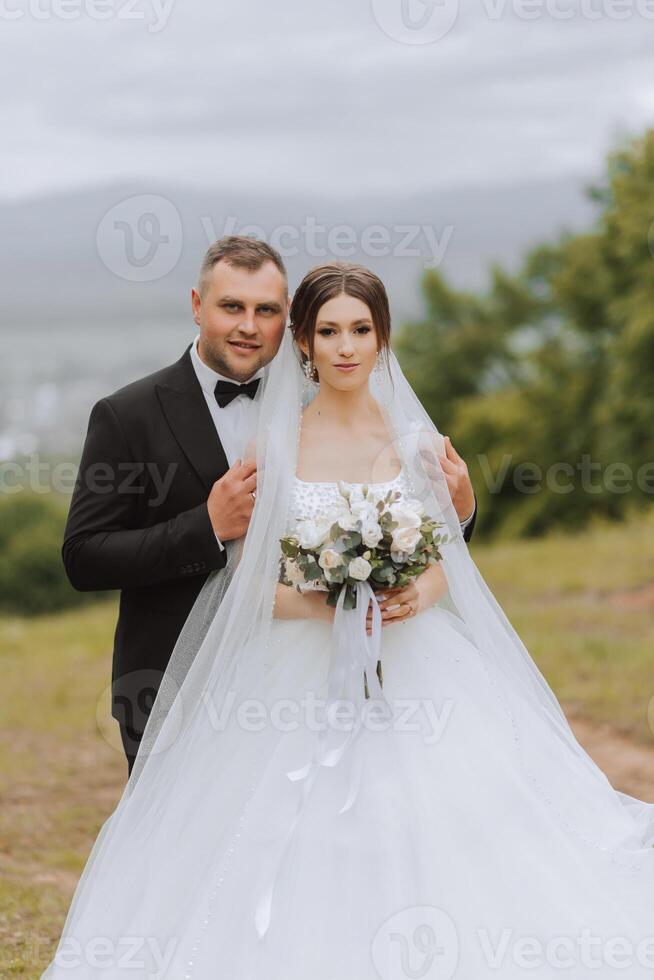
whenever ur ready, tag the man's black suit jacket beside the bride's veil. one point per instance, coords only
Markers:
(139, 522)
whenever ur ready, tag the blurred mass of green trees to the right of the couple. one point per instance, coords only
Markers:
(552, 368)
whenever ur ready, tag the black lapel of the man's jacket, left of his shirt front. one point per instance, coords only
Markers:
(183, 404)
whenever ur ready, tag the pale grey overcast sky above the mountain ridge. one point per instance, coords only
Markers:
(345, 96)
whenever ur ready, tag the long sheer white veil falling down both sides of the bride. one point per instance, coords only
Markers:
(197, 771)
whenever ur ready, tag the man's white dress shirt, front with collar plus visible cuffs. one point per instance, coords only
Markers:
(235, 423)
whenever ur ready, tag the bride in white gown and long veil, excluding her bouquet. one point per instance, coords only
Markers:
(334, 793)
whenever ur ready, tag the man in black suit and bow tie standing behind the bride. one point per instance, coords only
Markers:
(161, 484)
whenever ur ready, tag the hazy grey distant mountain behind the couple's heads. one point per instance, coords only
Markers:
(57, 253)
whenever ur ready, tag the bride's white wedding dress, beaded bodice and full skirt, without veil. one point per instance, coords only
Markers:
(450, 863)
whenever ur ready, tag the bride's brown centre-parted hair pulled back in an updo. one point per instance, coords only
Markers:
(323, 283)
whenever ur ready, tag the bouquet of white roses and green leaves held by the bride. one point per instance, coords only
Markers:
(379, 539)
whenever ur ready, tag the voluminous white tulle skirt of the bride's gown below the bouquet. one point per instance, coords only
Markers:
(435, 847)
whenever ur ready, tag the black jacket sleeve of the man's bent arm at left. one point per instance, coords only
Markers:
(103, 548)
